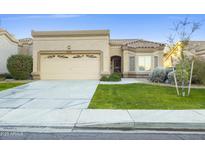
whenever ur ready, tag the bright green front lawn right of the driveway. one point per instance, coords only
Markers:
(144, 96)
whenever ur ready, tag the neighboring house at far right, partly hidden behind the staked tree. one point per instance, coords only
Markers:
(194, 48)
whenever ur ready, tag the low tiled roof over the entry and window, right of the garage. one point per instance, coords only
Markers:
(136, 43)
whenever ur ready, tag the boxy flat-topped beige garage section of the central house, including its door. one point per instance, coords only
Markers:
(70, 55)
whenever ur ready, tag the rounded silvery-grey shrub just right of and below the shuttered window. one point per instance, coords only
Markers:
(158, 75)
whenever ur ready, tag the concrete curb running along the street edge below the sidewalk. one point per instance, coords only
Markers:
(105, 126)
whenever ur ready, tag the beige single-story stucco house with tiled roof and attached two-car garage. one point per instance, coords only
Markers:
(91, 54)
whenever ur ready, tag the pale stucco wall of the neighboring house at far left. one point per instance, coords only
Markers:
(7, 48)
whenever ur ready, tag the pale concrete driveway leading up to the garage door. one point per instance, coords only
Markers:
(62, 94)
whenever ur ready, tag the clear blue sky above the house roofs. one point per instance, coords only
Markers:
(149, 27)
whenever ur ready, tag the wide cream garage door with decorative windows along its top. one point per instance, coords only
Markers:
(70, 66)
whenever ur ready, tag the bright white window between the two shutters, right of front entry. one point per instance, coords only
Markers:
(144, 63)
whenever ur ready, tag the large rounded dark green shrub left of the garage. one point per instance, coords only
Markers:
(20, 66)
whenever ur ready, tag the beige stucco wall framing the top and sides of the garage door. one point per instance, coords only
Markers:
(55, 44)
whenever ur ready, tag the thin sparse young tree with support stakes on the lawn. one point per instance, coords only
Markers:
(182, 32)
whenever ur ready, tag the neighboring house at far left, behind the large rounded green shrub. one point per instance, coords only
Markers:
(9, 45)
